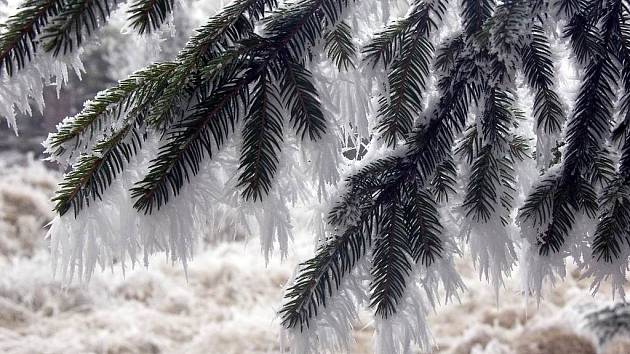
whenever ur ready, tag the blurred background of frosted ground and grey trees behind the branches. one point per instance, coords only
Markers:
(228, 302)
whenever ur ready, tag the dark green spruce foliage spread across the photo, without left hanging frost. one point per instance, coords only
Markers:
(448, 112)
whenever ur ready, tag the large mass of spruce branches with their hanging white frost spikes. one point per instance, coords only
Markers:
(426, 108)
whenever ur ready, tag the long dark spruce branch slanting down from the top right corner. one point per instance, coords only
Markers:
(585, 163)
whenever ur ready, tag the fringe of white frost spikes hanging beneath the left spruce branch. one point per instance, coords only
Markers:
(111, 229)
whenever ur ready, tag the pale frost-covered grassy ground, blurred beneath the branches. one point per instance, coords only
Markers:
(229, 300)
